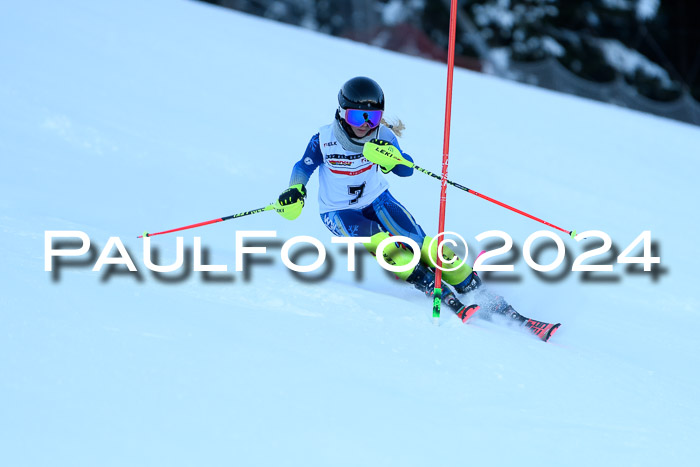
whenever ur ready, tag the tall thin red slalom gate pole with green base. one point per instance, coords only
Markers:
(445, 157)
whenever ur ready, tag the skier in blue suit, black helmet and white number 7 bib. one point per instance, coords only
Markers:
(355, 201)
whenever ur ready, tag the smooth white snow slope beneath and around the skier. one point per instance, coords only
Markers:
(124, 116)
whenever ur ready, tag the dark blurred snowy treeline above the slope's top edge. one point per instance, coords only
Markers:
(653, 44)
